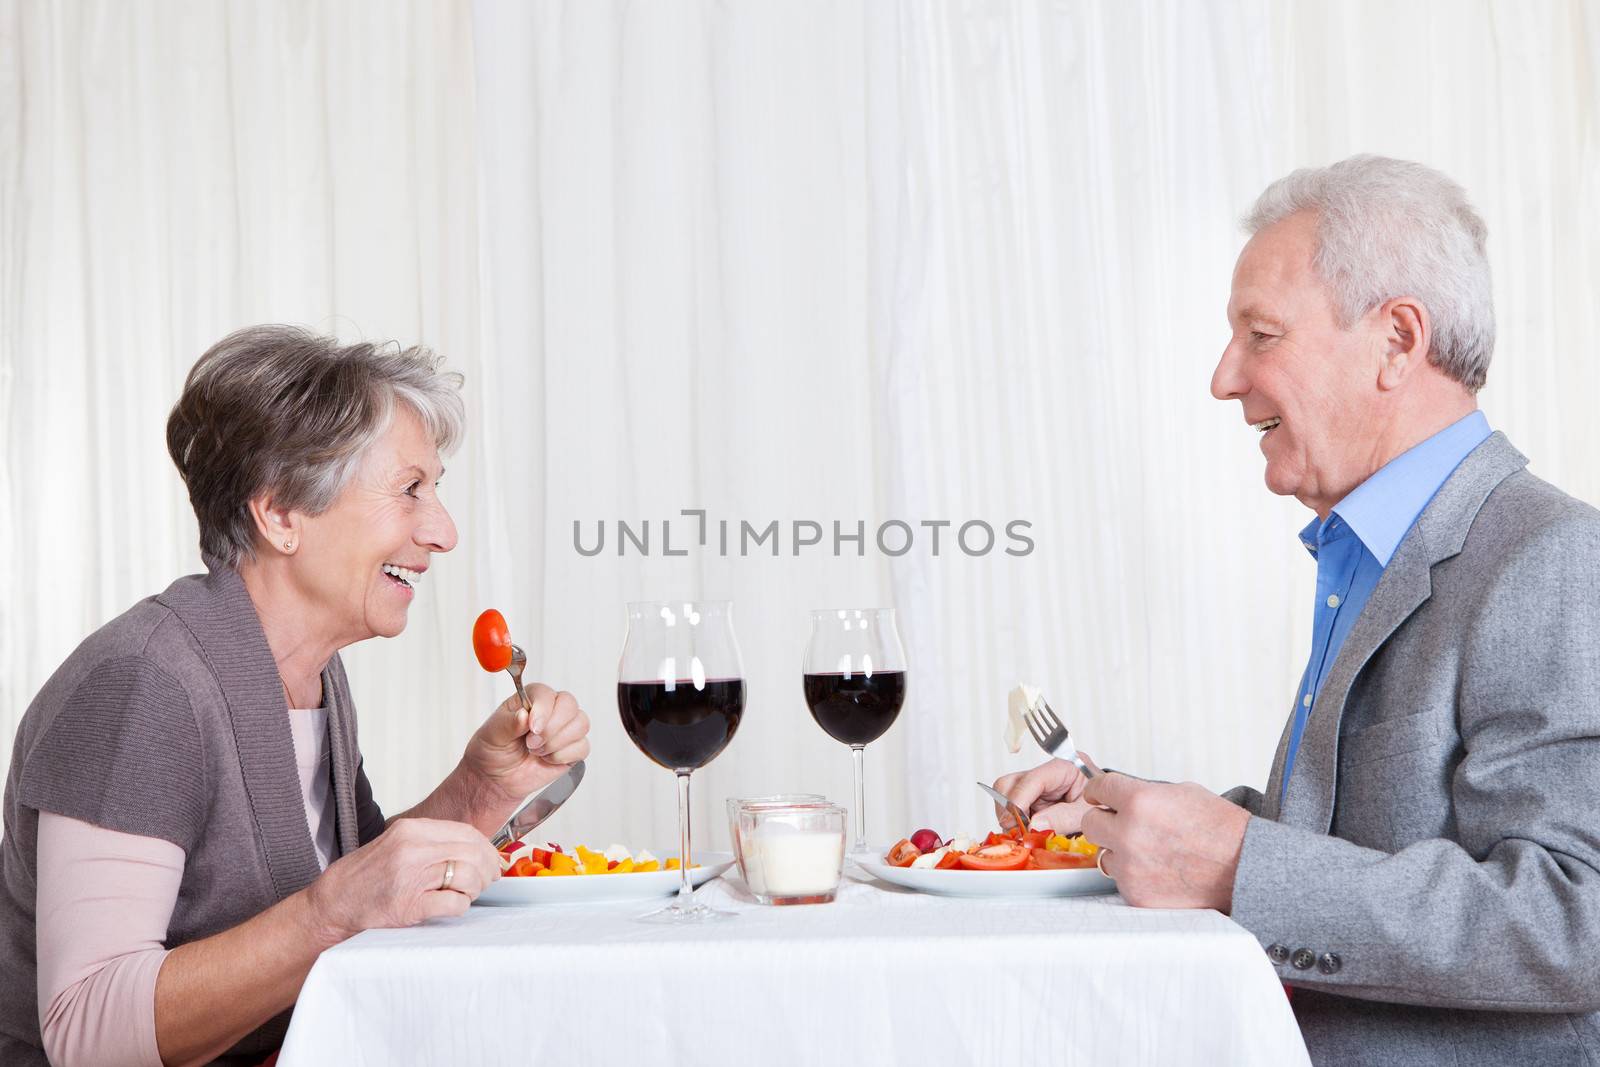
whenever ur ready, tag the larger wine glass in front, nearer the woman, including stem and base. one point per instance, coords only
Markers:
(681, 692)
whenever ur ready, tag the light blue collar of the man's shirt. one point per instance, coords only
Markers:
(1385, 508)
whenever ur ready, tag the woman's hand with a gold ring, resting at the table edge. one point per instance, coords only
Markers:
(394, 881)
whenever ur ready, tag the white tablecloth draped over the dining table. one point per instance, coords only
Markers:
(879, 977)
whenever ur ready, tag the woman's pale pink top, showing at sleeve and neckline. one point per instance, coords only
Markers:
(103, 905)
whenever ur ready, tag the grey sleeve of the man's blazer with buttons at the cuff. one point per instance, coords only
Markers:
(1508, 913)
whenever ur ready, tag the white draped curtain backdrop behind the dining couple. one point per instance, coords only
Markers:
(778, 262)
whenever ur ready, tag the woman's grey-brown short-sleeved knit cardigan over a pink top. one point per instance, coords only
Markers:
(170, 722)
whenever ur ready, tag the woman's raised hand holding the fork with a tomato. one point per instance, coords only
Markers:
(519, 753)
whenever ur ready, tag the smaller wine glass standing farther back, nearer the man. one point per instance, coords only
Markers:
(855, 684)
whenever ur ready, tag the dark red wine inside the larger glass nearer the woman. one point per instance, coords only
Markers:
(681, 729)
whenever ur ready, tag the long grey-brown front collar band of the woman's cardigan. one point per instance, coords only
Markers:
(222, 617)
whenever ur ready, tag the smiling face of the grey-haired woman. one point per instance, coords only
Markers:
(359, 562)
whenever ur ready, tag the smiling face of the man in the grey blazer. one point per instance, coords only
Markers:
(1306, 385)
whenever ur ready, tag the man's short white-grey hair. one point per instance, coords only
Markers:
(1390, 228)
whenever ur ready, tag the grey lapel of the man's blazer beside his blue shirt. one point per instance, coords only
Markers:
(1406, 586)
